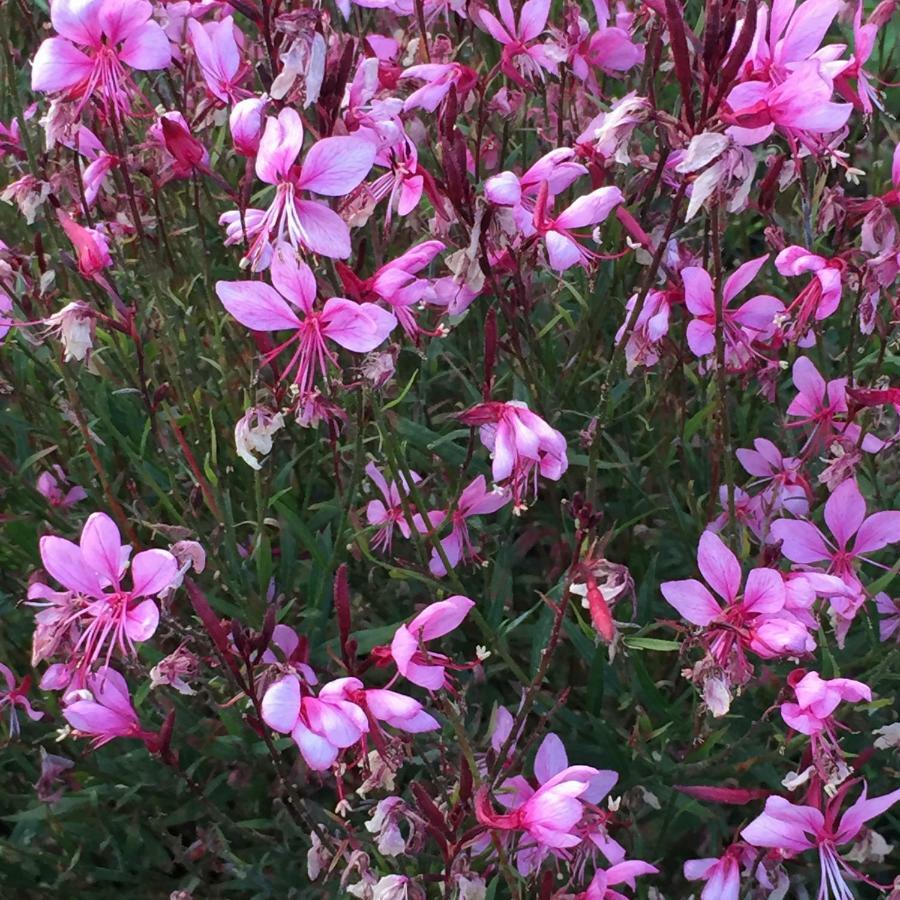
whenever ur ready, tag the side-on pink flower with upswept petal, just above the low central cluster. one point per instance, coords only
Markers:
(413, 660)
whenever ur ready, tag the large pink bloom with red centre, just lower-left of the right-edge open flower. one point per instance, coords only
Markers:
(755, 620)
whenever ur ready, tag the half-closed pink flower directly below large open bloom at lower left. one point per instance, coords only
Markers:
(103, 709)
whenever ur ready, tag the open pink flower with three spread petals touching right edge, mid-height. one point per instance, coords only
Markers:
(845, 515)
